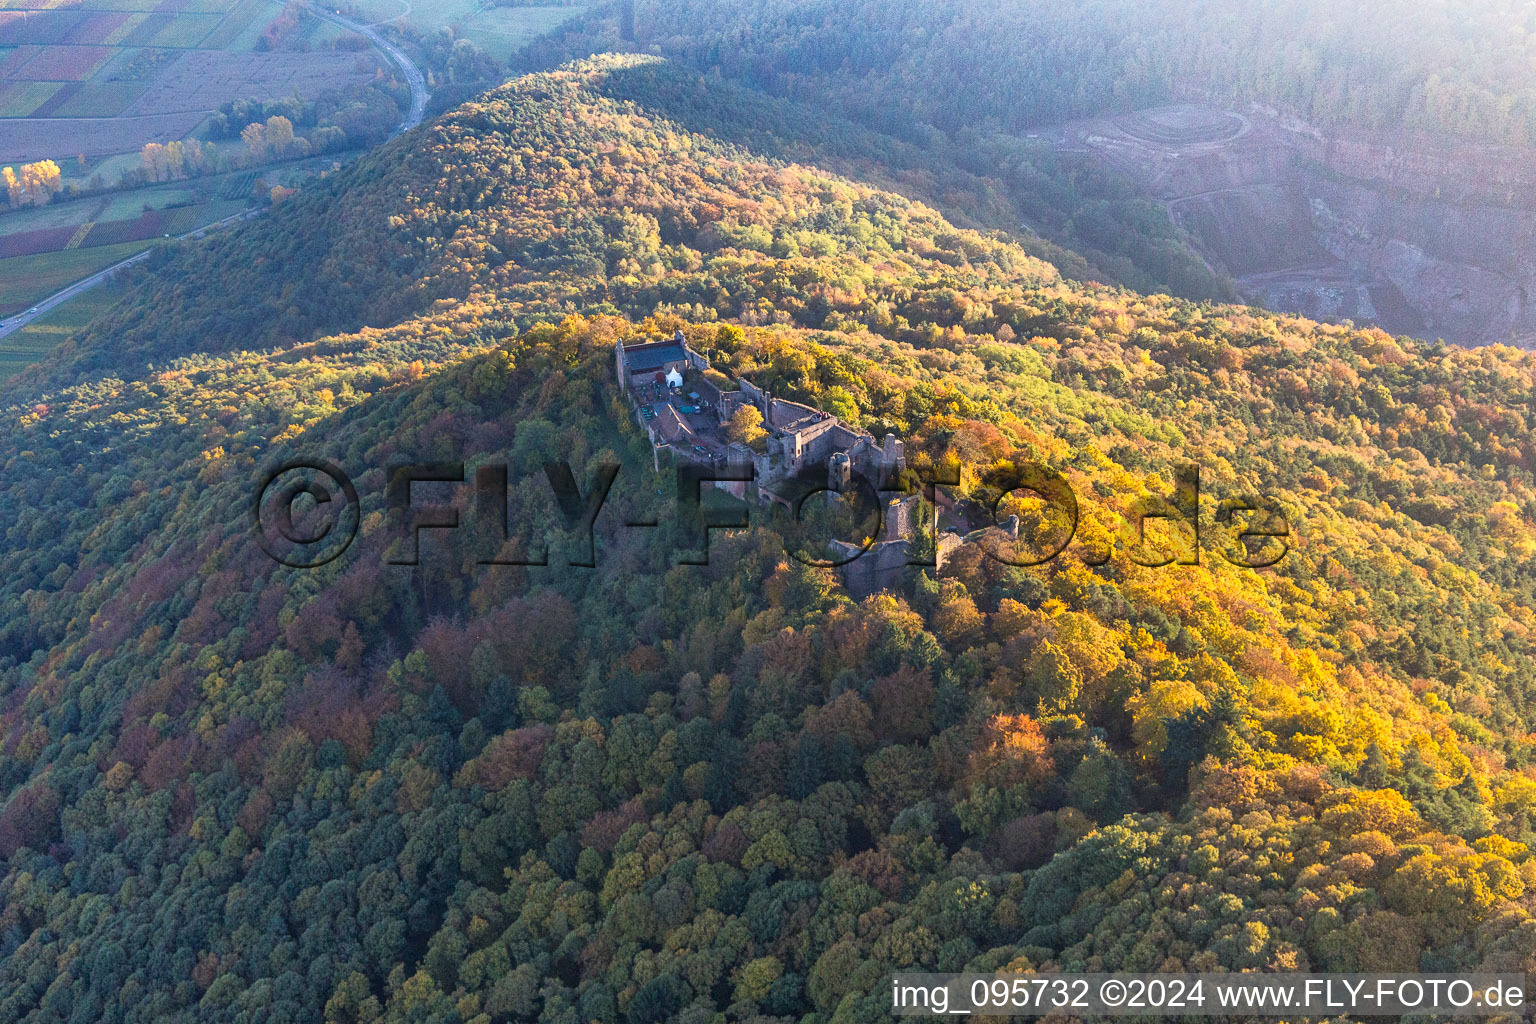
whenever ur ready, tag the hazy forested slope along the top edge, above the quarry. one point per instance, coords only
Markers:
(1458, 68)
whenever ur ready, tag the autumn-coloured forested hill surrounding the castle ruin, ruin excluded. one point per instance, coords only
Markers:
(643, 793)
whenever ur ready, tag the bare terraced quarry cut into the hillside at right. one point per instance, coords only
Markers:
(1414, 236)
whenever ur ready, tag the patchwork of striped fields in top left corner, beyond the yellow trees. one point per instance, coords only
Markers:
(94, 79)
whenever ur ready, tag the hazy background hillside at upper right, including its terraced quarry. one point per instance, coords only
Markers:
(1394, 193)
